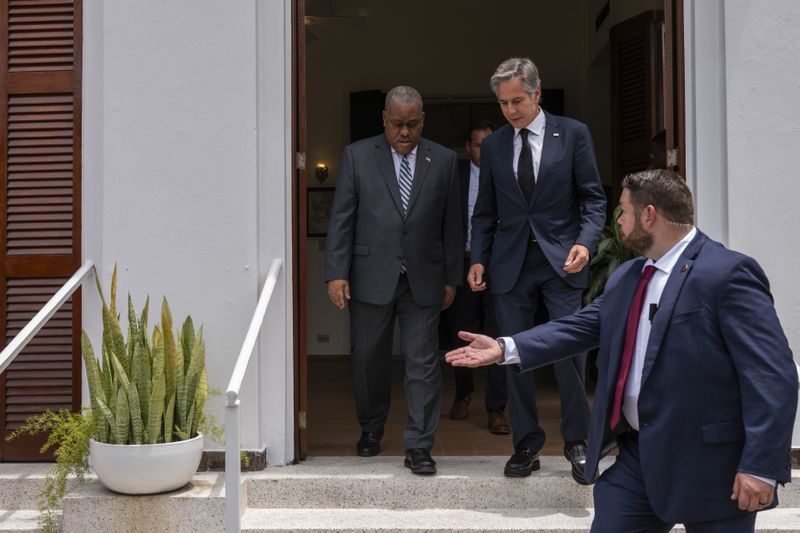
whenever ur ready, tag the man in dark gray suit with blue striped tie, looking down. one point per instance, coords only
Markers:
(394, 250)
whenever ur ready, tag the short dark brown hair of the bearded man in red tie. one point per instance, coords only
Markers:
(665, 190)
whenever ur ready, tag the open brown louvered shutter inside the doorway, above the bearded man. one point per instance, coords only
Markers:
(636, 110)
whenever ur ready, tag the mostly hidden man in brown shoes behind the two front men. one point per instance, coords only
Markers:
(473, 311)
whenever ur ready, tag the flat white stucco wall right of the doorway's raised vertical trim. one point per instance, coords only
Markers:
(763, 77)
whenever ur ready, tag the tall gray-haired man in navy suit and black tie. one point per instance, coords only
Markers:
(539, 213)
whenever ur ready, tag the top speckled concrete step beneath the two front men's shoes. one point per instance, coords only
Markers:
(383, 482)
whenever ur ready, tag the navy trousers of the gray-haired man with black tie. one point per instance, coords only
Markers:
(515, 312)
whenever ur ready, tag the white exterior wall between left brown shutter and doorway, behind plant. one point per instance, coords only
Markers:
(186, 183)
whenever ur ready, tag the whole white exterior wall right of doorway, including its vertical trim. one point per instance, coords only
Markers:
(743, 135)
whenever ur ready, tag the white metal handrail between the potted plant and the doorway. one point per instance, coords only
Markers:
(233, 467)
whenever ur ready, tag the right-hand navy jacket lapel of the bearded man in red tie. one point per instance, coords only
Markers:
(666, 304)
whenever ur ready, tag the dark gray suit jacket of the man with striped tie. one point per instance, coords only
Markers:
(368, 235)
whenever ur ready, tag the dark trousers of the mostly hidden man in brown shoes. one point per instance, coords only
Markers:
(474, 312)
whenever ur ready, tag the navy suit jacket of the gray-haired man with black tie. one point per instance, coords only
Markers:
(568, 206)
